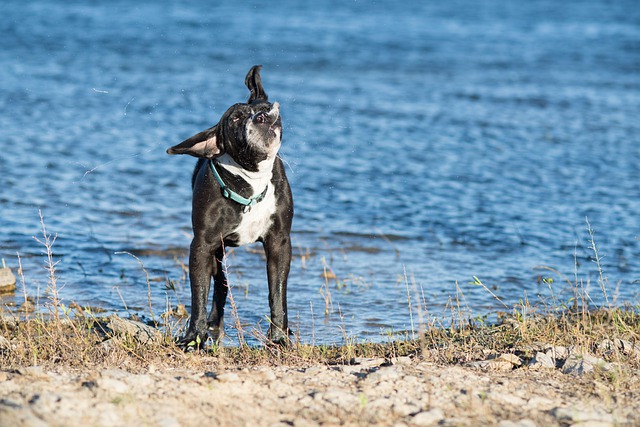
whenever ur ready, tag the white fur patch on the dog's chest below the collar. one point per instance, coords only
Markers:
(255, 223)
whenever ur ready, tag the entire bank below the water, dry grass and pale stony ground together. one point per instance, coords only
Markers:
(94, 372)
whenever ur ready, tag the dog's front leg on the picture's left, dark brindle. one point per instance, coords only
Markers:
(200, 271)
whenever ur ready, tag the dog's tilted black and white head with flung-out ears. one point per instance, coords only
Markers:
(250, 133)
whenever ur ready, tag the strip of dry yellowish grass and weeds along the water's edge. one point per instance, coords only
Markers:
(77, 337)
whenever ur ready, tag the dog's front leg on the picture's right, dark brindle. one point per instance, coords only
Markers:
(278, 251)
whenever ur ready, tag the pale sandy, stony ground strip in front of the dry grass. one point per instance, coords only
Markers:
(404, 391)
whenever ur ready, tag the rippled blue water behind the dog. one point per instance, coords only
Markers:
(426, 143)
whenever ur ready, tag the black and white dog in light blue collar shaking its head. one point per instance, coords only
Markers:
(241, 195)
